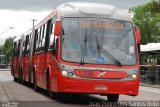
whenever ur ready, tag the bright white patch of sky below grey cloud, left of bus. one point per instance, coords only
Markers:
(20, 20)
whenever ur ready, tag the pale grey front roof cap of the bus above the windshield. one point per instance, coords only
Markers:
(85, 9)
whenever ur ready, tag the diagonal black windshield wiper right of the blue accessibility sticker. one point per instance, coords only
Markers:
(115, 60)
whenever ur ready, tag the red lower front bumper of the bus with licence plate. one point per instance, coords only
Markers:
(73, 85)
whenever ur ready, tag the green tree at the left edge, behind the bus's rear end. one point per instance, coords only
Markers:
(6, 49)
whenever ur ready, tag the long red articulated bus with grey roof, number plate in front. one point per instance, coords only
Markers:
(80, 48)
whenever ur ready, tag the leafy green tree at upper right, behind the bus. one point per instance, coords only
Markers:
(147, 18)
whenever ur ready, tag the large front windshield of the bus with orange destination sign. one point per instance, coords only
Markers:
(98, 41)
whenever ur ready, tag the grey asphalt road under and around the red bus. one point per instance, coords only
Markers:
(17, 95)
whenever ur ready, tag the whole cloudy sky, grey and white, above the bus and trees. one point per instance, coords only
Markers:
(19, 13)
